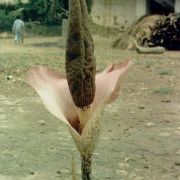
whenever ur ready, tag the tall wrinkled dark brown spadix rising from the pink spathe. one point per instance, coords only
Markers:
(80, 61)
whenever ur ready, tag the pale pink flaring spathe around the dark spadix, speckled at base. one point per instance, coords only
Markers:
(84, 124)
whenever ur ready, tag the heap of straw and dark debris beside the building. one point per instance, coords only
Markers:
(152, 31)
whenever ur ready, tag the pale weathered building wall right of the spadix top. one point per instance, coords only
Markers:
(117, 12)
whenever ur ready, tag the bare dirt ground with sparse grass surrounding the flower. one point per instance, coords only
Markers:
(140, 139)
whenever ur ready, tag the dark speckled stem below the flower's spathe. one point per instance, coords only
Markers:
(86, 167)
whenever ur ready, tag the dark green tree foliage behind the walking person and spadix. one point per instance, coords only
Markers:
(43, 11)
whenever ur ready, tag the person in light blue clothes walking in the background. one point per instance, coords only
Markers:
(18, 30)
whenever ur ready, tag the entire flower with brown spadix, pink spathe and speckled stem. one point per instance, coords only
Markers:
(78, 99)
